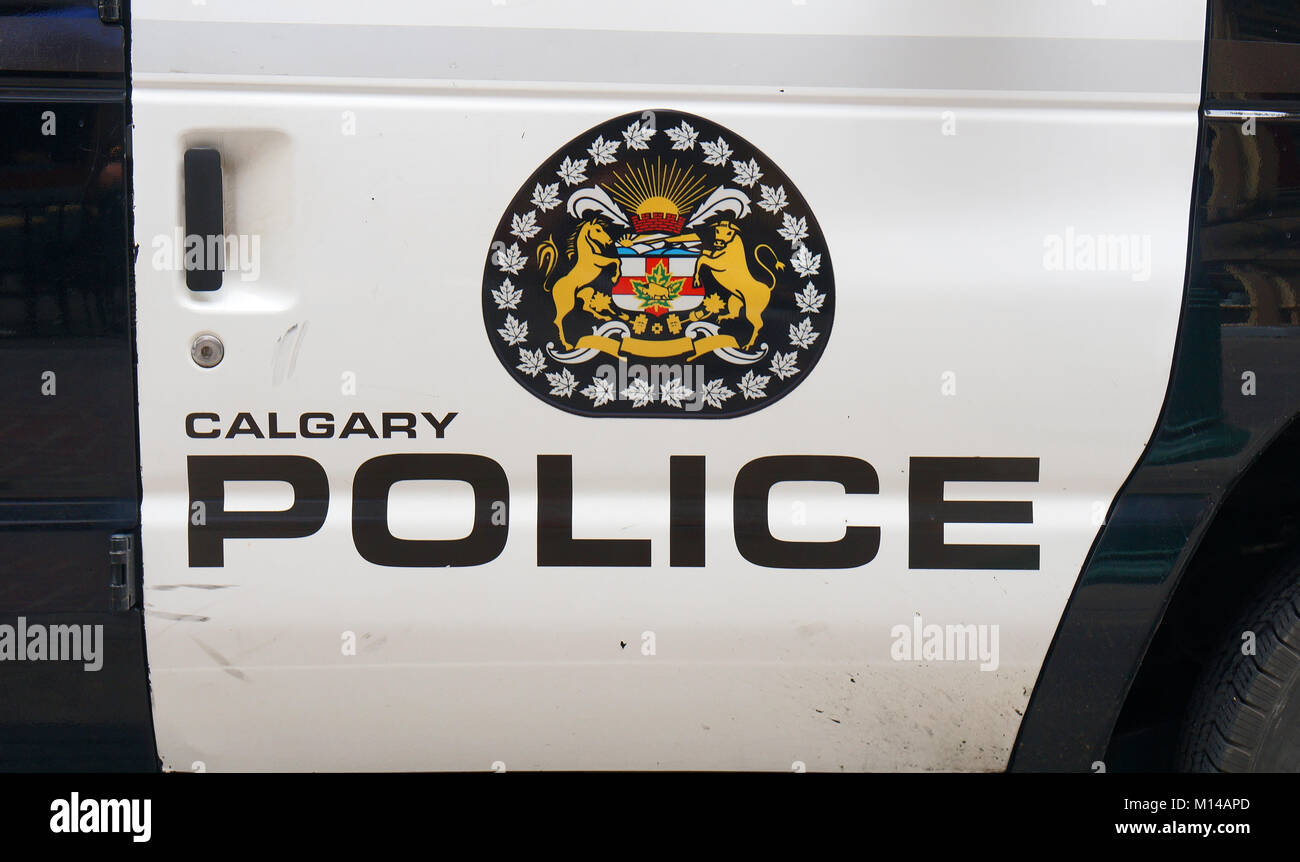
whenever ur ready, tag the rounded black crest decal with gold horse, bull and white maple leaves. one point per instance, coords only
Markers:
(658, 266)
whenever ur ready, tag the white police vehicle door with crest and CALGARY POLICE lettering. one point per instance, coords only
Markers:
(731, 385)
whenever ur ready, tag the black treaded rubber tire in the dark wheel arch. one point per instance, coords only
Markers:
(1240, 699)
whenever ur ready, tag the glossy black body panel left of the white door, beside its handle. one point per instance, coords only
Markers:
(70, 452)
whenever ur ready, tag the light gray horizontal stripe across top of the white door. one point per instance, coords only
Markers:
(621, 58)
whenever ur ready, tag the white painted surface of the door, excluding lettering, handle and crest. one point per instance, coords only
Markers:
(941, 148)
